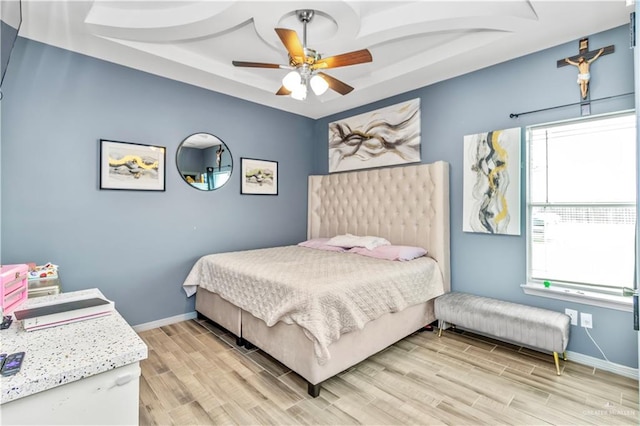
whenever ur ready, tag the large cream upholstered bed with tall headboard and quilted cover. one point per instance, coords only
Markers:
(406, 205)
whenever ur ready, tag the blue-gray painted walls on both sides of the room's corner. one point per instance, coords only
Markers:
(137, 247)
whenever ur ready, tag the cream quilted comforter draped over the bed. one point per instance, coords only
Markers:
(326, 293)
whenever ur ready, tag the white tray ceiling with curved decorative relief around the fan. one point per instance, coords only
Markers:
(413, 43)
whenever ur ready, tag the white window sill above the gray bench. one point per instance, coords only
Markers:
(619, 303)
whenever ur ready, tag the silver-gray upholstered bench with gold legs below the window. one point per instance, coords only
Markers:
(536, 328)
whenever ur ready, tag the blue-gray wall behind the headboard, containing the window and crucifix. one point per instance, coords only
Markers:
(492, 265)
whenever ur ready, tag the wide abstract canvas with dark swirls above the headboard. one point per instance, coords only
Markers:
(383, 137)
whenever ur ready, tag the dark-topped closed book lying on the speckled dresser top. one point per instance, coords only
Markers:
(63, 312)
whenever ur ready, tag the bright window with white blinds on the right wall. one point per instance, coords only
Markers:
(581, 205)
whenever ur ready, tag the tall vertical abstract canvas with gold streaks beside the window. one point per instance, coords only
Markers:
(491, 180)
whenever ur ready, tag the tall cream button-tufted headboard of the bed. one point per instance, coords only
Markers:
(407, 205)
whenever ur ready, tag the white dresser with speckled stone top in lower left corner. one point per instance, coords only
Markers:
(81, 373)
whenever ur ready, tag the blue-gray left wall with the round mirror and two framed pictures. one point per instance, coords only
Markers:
(137, 247)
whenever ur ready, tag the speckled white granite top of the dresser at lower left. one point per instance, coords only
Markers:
(59, 355)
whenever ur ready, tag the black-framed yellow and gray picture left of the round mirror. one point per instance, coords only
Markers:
(132, 166)
